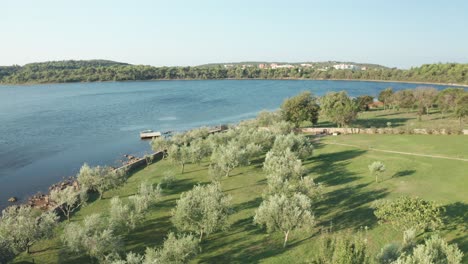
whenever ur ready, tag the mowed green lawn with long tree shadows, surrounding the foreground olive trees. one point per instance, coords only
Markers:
(349, 193)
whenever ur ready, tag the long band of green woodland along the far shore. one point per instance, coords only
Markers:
(101, 70)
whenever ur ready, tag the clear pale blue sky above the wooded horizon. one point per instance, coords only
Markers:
(400, 33)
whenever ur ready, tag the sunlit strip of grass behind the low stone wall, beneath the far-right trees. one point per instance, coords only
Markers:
(403, 118)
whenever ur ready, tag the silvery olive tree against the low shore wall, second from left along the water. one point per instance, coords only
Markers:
(100, 178)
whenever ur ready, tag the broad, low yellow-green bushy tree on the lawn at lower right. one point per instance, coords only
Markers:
(407, 213)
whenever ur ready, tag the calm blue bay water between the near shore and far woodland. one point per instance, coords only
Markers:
(48, 131)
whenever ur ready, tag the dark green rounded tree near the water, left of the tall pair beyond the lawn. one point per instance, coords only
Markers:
(300, 108)
